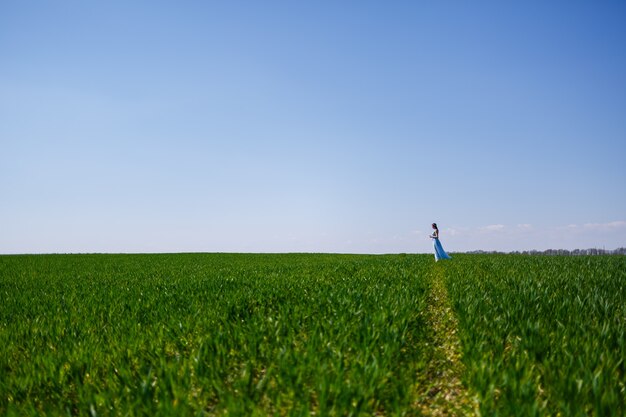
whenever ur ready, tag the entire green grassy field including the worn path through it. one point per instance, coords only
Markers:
(312, 334)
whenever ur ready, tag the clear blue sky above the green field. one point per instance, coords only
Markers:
(322, 127)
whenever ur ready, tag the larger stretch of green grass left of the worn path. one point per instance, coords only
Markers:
(211, 334)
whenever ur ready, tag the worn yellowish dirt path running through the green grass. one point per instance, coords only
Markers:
(443, 394)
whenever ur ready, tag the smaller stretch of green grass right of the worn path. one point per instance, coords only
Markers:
(543, 335)
